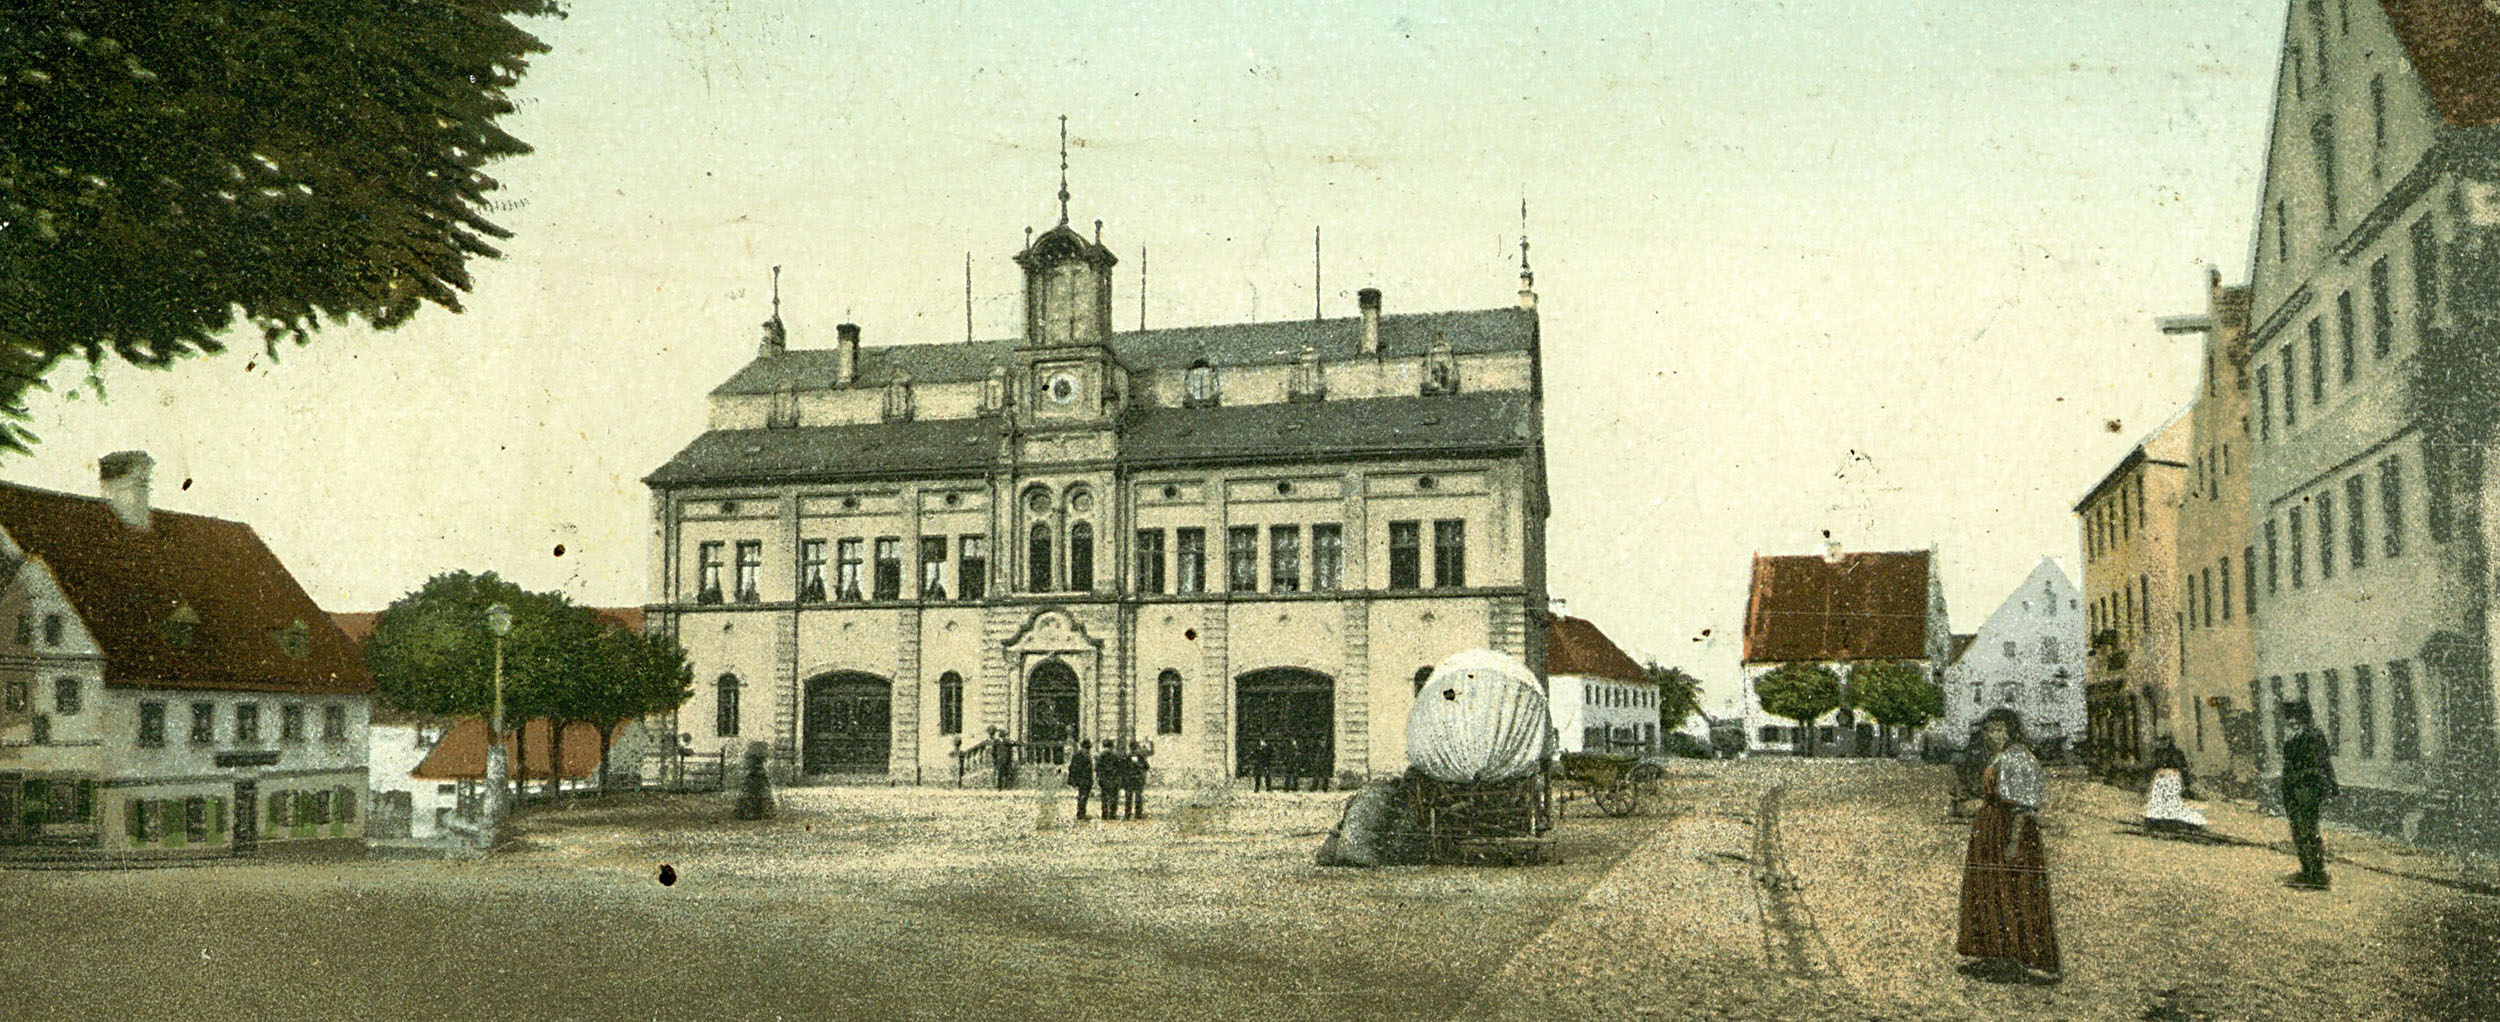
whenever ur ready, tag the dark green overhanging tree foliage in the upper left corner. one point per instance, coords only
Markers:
(176, 166)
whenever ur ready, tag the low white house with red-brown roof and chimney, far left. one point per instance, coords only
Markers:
(169, 686)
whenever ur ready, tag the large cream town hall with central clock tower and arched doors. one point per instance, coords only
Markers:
(1196, 536)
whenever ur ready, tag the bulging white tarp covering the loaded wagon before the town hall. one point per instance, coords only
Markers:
(1481, 718)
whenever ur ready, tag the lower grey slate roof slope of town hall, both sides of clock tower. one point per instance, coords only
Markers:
(1149, 436)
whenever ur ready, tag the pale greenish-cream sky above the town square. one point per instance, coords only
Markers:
(1804, 266)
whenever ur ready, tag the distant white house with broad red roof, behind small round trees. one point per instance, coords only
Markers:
(1841, 611)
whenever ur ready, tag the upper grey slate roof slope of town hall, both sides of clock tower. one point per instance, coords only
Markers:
(1179, 349)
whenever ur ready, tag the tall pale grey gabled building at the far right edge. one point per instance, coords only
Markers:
(2371, 291)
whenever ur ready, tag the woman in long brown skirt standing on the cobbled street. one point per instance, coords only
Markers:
(2006, 911)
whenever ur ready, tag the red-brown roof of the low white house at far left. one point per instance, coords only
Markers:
(126, 583)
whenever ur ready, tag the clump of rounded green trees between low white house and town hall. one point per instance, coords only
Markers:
(431, 653)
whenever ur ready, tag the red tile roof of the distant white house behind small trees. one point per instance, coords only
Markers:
(1869, 606)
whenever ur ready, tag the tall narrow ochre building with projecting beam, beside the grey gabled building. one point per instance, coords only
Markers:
(2216, 561)
